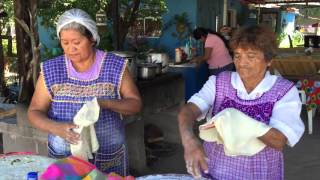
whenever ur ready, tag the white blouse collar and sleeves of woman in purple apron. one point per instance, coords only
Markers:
(285, 114)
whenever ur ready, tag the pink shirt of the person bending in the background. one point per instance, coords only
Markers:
(219, 55)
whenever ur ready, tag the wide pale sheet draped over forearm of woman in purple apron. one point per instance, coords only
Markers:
(236, 131)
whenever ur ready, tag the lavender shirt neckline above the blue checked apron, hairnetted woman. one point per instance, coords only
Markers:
(92, 72)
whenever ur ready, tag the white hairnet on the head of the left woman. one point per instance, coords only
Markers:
(81, 17)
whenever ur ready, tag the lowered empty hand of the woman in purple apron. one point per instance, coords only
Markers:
(195, 158)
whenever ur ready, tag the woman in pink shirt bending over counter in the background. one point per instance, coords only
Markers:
(216, 52)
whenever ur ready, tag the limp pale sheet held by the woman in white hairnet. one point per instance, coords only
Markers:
(85, 119)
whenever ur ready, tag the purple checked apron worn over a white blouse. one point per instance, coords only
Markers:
(265, 165)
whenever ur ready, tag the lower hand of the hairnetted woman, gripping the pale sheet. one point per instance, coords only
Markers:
(65, 131)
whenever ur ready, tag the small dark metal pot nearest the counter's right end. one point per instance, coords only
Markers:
(147, 71)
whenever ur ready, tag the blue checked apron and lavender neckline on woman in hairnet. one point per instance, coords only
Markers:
(69, 91)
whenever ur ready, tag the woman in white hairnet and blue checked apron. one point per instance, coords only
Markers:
(68, 81)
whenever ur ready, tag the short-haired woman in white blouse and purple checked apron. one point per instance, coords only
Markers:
(254, 91)
